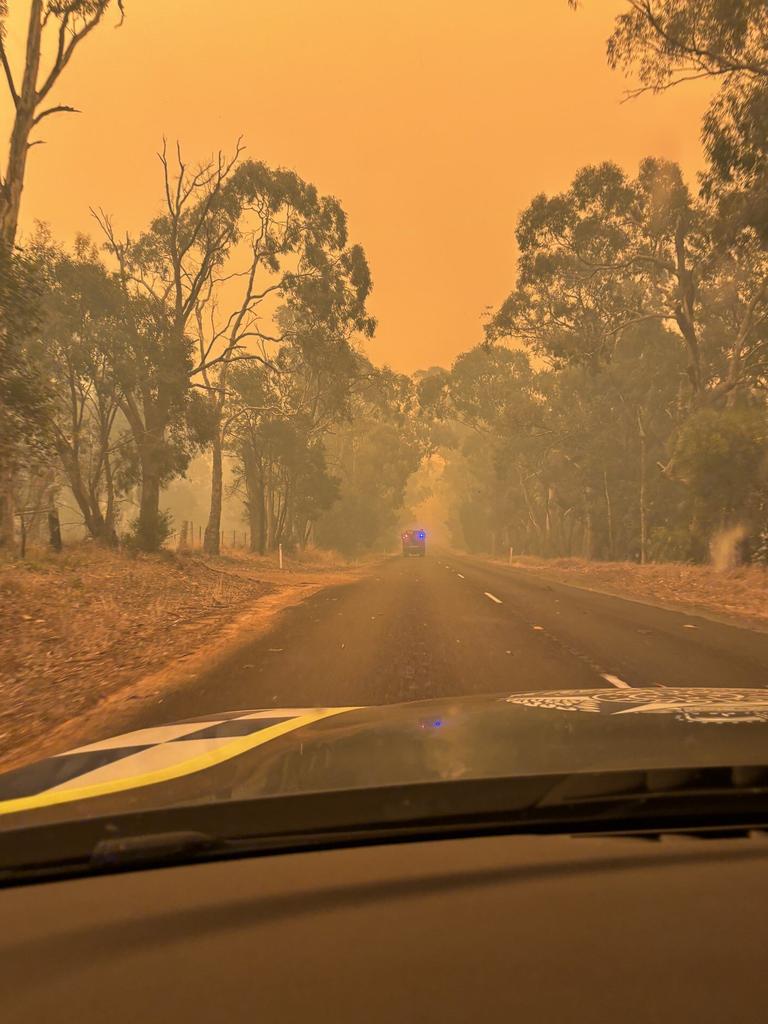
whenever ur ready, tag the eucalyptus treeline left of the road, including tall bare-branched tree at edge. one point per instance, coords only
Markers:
(229, 327)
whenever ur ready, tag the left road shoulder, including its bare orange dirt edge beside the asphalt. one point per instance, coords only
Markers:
(86, 638)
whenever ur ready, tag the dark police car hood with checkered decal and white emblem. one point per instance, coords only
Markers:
(239, 755)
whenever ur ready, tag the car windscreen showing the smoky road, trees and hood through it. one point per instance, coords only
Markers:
(360, 357)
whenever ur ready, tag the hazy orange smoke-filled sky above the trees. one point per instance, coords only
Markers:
(435, 122)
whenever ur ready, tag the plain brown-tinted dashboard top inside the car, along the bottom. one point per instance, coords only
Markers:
(514, 929)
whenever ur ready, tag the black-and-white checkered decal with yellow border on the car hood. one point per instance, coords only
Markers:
(148, 755)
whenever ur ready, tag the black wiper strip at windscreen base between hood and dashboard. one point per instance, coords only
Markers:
(649, 803)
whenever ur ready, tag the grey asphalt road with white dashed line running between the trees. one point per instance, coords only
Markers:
(446, 625)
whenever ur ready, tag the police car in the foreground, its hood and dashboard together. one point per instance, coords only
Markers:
(321, 864)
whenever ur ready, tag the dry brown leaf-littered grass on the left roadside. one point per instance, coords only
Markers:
(80, 628)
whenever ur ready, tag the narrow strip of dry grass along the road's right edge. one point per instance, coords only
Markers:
(741, 593)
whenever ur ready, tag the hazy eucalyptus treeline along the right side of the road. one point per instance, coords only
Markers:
(618, 408)
